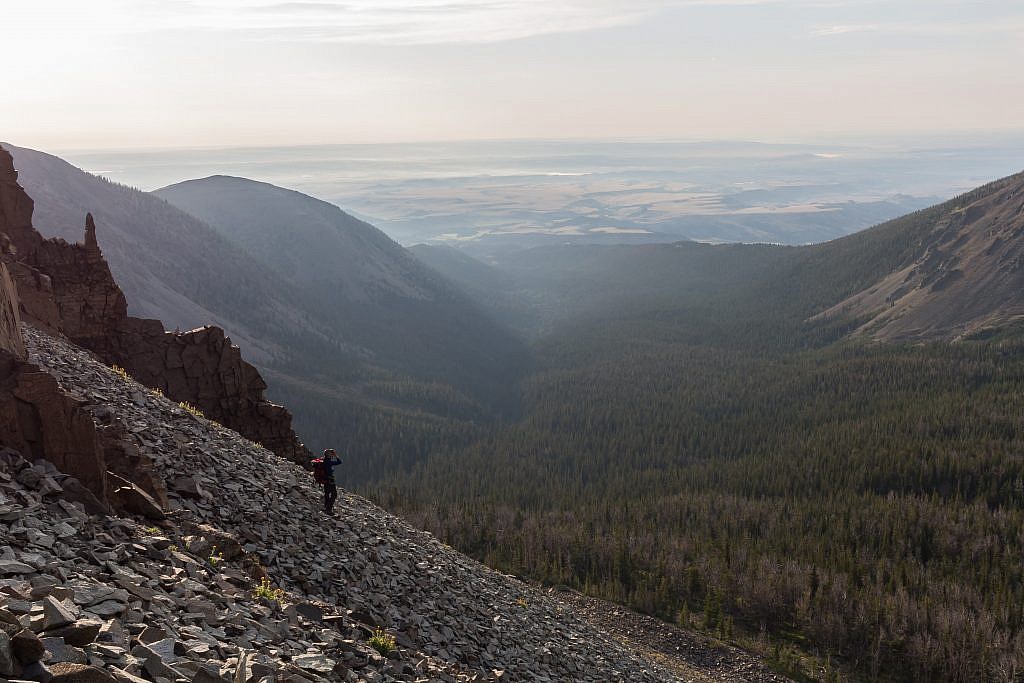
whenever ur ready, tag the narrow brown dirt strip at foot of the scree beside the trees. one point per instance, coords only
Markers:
(694, 658)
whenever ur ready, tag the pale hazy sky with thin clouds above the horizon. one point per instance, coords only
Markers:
(185, 73)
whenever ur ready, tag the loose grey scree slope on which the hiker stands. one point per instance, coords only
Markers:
(242, 578)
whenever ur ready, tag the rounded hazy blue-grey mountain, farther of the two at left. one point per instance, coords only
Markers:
(380, 298)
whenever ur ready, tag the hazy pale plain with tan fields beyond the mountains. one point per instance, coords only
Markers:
(489, 197)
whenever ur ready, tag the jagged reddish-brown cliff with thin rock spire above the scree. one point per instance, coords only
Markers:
(68, 289)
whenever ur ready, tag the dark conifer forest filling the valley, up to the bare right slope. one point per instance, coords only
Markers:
(720, 457)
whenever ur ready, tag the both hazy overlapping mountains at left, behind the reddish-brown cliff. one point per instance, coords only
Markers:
(338, 316)
